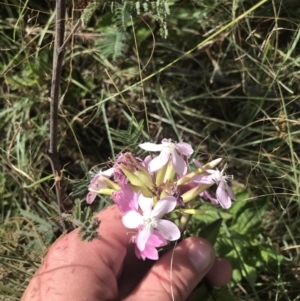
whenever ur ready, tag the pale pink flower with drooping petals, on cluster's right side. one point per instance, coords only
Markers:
(224, 193)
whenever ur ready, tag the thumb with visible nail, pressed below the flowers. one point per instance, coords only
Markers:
(175, 275)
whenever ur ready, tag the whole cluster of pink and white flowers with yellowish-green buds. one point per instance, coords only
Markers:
(145, 191)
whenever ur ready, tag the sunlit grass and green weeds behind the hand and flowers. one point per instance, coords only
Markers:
(222, 75)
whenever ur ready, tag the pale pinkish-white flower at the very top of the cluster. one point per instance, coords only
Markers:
(177, 151)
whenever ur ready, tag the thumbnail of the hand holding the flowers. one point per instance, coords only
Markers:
(200, 255)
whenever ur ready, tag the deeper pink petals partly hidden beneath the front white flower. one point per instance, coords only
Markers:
(156, 240)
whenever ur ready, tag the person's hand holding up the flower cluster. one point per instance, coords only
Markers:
(107, 269)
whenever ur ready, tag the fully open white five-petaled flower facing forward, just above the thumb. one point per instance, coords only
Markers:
(150, 220)
